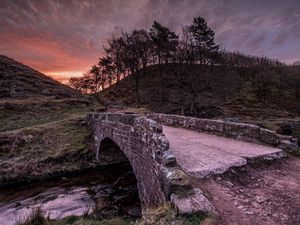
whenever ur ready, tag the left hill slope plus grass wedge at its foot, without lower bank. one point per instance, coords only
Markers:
(29, 98)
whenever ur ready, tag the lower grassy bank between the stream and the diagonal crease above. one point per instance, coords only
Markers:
(43, 150)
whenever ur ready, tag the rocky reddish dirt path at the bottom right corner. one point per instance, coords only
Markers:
(257, 195)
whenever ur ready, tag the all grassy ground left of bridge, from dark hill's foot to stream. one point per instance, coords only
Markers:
(43, 136)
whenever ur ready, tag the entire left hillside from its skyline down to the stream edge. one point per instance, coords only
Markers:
(41, 125)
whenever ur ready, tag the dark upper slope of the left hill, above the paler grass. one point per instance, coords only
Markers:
(20, 81)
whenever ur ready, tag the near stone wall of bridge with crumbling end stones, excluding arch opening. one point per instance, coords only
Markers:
(147, 149)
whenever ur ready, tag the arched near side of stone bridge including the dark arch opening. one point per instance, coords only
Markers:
(121, 137)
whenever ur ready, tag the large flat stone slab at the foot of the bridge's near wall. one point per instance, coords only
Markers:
(196, 203)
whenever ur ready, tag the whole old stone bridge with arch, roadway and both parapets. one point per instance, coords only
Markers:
(163, 161)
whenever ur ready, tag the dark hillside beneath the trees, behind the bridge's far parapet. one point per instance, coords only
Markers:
(218, 93)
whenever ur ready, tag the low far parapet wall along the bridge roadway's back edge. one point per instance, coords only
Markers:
(239, 131)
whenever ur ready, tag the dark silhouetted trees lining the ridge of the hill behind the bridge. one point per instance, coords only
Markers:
(181, 55)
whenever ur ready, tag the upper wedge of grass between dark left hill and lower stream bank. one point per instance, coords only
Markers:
(20, 113)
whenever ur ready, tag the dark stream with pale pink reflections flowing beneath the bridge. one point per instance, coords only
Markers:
(111, 190)
